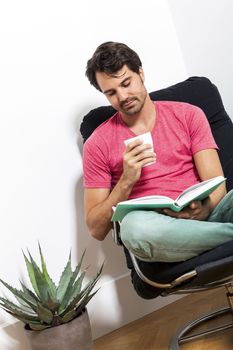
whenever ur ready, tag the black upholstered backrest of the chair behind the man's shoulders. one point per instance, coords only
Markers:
(198, 91)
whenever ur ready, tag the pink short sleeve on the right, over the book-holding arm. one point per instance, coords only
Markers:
(200, 131)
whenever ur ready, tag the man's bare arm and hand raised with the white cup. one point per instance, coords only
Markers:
(98, 202)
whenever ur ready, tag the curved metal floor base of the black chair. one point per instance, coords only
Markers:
(182, 335)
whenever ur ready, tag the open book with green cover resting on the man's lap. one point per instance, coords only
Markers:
(196, 192)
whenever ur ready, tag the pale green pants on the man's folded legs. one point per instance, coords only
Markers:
(156, 237)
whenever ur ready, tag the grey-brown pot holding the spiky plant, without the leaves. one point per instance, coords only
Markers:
(74, 335)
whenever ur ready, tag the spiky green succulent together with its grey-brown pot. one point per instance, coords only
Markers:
(55, 316)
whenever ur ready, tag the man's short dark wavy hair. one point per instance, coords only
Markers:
(109, 58)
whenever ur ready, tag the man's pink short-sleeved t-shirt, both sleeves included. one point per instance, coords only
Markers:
(179, 132)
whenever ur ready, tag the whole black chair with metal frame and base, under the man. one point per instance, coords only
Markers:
(212, 269)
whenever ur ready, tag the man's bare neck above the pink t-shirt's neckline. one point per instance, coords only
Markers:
(144, 121)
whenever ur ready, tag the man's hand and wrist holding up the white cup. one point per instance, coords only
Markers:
(136, 155)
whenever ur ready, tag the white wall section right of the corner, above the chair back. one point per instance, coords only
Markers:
(205, 32)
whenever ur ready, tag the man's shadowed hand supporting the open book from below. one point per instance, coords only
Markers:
(196, 210)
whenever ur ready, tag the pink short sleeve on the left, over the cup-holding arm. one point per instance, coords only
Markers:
(96, 172)
